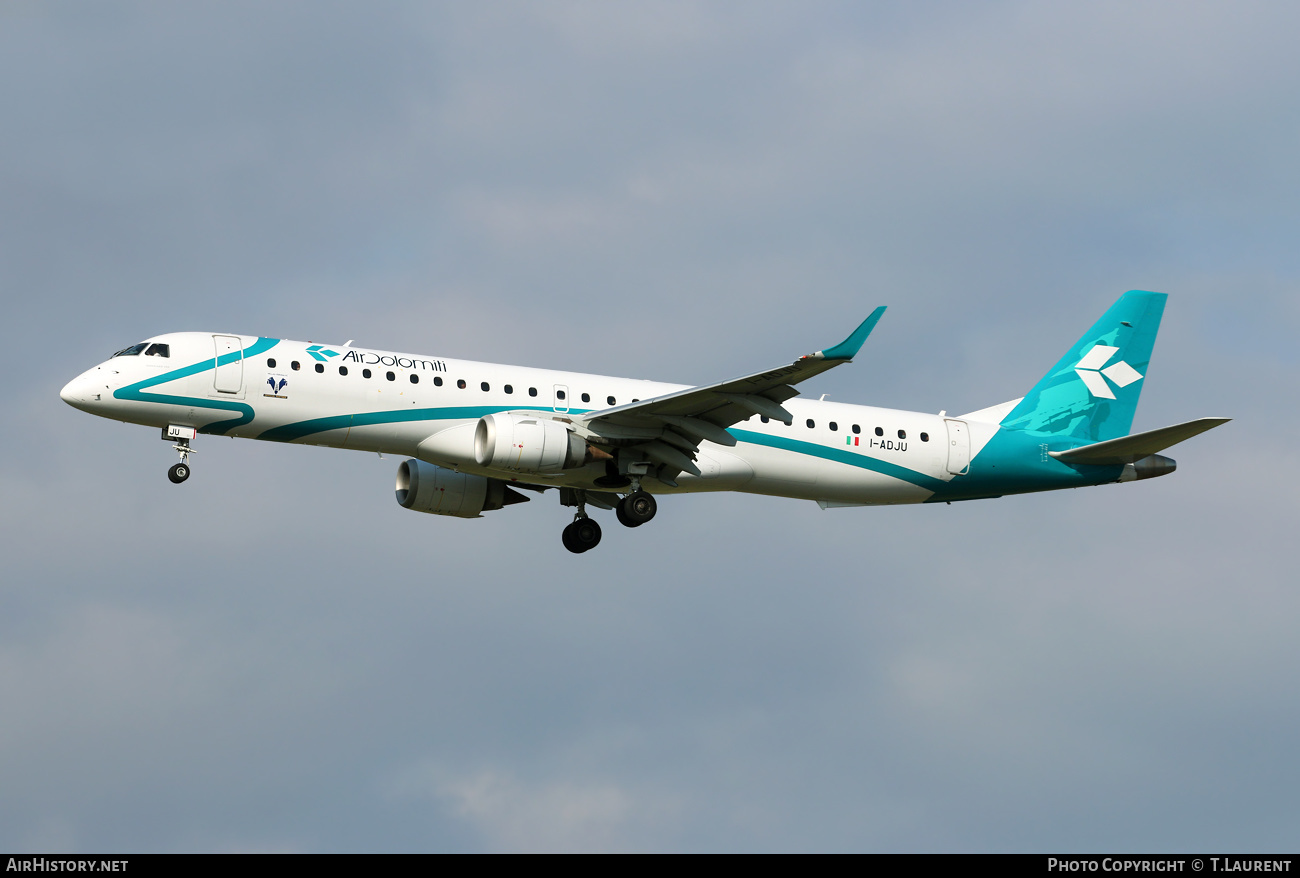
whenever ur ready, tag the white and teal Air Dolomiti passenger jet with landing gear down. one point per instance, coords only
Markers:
(479, 434)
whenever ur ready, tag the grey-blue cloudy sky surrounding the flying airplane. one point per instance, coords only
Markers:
(278, 658)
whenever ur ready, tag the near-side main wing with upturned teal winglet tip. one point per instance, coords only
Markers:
(669, 430)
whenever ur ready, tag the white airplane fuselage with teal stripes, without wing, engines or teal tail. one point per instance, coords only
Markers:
(428, 406)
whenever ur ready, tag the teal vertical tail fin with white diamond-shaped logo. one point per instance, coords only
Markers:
(1091, 395)
